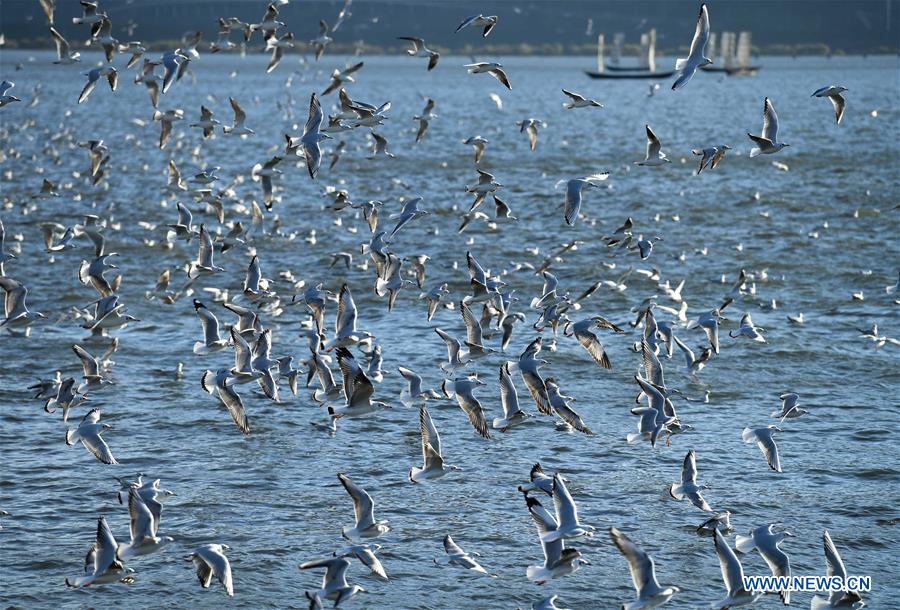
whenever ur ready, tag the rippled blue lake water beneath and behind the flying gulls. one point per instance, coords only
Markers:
(273, 496)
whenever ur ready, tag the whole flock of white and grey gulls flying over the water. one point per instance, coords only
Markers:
(488, 311)
